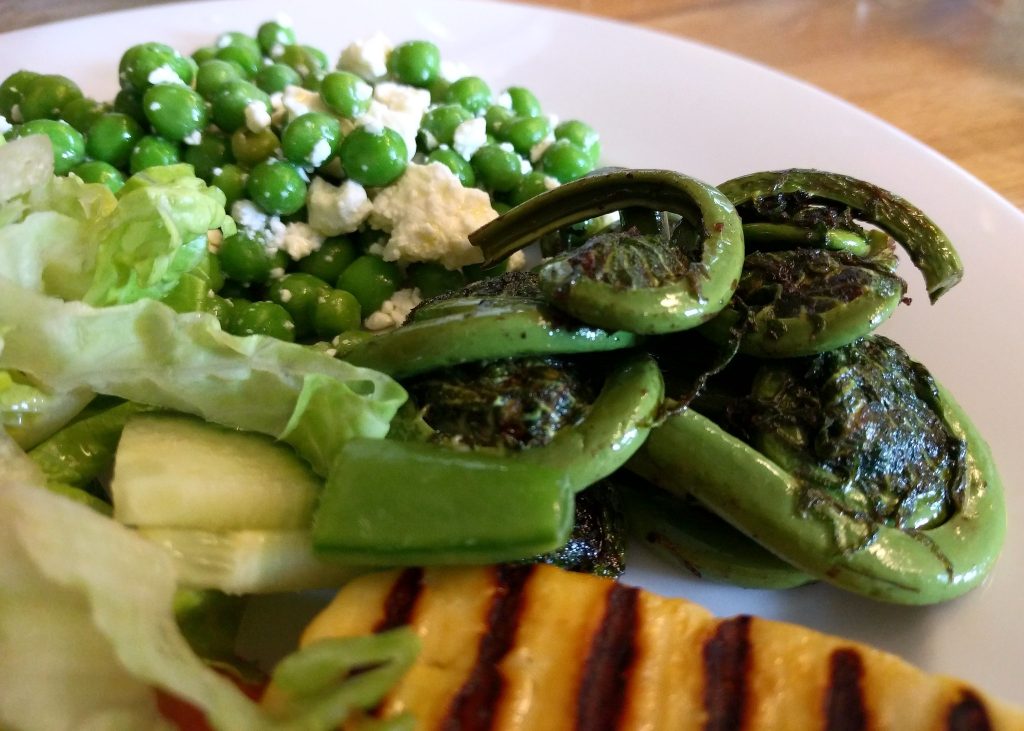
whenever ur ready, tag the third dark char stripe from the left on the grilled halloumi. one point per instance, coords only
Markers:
(605, 684)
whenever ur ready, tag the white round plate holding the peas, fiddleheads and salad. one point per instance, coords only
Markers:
(661, 102)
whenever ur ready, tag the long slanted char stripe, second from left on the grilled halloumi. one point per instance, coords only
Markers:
(474, 708)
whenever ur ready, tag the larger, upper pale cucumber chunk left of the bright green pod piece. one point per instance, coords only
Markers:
(180, 471)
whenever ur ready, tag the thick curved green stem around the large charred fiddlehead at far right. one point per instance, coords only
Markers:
(691, 454)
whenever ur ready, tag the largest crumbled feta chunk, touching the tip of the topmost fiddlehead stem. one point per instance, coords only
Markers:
(431, 216)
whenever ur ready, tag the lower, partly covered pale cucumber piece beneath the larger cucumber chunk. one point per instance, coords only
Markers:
(249, 562)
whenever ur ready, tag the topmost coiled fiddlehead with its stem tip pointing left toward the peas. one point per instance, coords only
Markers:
(628, 281)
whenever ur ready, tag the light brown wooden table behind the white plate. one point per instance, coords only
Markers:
(949, 72)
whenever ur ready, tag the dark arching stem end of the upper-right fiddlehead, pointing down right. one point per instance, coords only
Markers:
(930, 249)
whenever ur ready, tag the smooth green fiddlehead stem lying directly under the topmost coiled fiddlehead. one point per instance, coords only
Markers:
(476, 334)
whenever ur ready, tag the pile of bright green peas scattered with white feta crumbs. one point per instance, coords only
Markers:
(217, 111)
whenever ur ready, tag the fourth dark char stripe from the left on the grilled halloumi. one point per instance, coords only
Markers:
(727, 666)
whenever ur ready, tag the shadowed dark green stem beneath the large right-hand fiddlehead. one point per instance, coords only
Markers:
(691, 537)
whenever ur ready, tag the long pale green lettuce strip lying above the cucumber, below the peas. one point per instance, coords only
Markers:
(147, 353)
